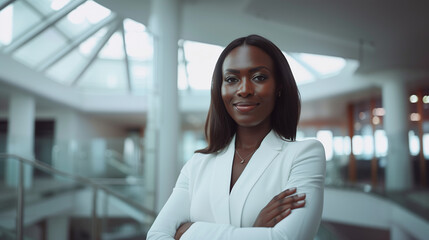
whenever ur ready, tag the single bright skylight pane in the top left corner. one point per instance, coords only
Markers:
(16, 19)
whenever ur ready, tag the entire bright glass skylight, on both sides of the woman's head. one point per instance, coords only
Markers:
(81, 44)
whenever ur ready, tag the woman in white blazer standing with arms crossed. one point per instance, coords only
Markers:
(242, 185)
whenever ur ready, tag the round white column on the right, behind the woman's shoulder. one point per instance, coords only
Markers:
(398, 169)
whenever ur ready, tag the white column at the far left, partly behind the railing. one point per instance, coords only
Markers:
(20, 140)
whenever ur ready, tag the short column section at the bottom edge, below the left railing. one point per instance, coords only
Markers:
(57, 227)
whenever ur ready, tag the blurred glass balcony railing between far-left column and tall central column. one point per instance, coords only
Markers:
(99, 158)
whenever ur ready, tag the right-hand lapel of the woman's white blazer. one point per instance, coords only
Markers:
(261, 159)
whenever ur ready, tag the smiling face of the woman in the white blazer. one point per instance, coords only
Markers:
(248, 86)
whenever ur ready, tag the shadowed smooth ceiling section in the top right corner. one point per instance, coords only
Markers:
(394, 33)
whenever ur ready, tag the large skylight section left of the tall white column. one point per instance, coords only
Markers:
(78, 43)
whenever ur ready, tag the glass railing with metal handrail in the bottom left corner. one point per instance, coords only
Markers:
(70, 207)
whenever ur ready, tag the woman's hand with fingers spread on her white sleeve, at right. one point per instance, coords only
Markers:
(279, 208)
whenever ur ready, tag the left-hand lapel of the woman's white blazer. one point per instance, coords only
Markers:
(220, 183)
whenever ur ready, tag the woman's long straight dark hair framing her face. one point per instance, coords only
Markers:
(220, 127)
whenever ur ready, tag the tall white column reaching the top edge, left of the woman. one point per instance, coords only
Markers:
(164, 24)
